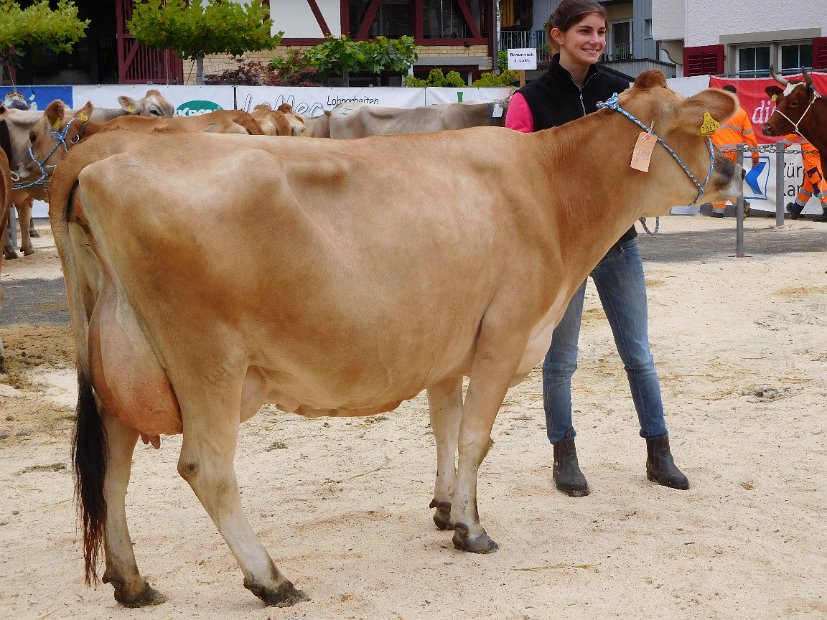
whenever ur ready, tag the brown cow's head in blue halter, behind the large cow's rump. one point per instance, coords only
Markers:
(57, 131)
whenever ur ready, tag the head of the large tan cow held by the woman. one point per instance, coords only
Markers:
(684, 125)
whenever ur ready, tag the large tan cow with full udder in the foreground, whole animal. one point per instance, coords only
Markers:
(372, 269)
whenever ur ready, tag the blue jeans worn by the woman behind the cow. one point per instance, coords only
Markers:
(622, 288)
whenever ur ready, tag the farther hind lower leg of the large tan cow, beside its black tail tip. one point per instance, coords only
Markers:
(131, 589)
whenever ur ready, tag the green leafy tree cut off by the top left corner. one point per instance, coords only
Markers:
(37, 24)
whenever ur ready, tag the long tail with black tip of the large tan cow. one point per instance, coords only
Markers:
(89, 445)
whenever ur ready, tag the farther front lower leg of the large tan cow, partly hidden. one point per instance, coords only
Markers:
(445, 408)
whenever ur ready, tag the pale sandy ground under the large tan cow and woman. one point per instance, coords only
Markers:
(342, 504)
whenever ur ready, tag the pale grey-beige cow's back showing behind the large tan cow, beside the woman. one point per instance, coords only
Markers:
(358, 120)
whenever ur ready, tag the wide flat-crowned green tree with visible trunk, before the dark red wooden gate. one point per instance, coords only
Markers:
(196, 29)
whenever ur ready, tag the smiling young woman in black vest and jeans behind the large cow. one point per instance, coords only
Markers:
(571, 89)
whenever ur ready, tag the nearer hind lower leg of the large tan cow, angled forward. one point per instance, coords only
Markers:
(206, 463)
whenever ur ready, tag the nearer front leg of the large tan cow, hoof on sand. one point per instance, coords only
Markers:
(494, 365)
